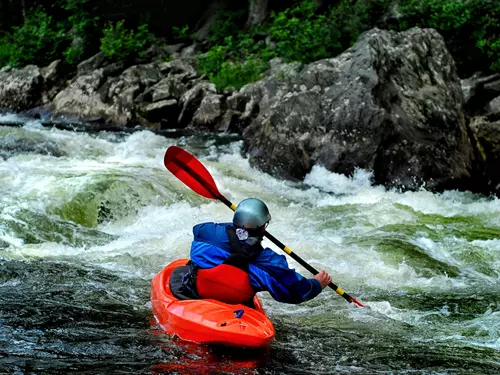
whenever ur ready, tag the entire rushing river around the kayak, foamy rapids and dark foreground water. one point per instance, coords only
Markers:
(87, 219)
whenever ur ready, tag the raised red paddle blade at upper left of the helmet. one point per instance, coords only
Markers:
(189, 170)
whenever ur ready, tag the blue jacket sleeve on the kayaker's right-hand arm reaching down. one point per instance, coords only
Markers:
(270, 272)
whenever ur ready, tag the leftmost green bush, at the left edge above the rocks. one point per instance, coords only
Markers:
(37, 41)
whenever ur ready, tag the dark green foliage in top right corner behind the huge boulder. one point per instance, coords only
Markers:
(471, 29)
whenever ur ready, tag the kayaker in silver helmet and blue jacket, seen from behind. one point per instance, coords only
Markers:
(228, 262)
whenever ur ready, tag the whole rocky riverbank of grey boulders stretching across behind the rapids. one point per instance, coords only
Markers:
(393, 103)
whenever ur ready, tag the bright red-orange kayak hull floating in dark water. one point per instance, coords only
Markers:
(208, 321)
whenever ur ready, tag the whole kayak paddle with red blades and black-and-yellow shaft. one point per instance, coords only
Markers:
(193, 173)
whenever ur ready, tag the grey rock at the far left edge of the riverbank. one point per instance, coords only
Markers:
(21, 89)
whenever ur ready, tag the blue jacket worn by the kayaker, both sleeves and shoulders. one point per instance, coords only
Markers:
(269, 271)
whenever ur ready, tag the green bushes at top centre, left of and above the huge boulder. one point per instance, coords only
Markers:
(296, 34)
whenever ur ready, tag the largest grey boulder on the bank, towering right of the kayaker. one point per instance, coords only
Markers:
(392, 104)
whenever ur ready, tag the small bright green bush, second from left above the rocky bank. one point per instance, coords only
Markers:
(122, 44)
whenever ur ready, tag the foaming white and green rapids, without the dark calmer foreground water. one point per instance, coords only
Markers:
(333, 222)
